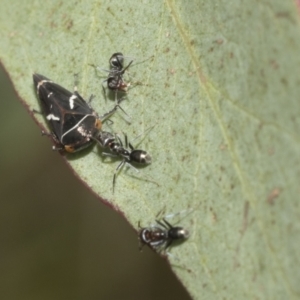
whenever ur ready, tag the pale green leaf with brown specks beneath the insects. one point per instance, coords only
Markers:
(223, 92)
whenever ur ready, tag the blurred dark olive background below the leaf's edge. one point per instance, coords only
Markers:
(57, 241)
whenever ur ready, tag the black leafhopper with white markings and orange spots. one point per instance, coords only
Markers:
(73, 121)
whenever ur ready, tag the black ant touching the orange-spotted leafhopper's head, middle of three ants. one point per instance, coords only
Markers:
(128, 153)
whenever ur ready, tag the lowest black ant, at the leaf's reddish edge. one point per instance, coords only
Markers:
(159, 237)
